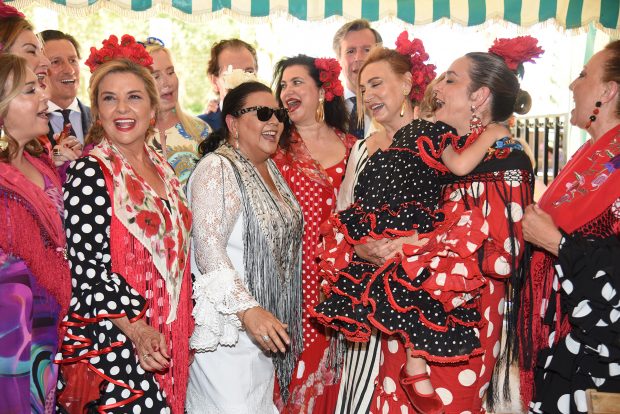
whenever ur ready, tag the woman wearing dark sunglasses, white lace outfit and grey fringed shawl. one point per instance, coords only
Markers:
(246, 261)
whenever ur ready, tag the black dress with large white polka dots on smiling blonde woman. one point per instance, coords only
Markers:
(99, 294)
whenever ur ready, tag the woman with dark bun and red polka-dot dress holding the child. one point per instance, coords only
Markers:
(482, 89)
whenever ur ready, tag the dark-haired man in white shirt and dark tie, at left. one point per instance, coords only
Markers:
(63, 51)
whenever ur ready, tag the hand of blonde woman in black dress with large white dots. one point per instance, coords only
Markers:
(150, 346)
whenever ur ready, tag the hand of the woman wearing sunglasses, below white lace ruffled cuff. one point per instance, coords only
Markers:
(268, 332)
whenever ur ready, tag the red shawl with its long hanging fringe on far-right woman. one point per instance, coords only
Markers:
(586, 187)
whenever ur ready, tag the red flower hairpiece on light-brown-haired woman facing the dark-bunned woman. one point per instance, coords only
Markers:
(422, 73)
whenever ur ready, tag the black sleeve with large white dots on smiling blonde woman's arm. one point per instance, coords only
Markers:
(97, 291)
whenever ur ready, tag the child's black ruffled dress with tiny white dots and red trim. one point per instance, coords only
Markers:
(397, 194)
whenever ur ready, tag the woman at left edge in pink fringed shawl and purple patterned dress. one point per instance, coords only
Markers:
(35, 284)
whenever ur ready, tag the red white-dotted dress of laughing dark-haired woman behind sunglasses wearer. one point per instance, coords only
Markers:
(314, 386)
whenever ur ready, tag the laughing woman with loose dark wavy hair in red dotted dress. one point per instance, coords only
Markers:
(312, 159)
